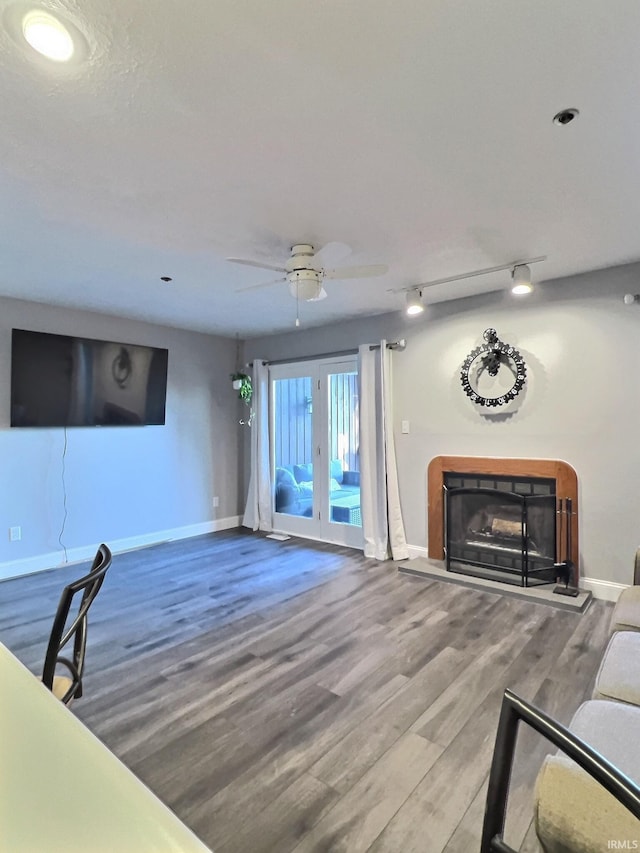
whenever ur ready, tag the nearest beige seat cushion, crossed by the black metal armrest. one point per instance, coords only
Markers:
(574, 814)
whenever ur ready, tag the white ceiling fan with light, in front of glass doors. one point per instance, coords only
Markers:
(305, 271)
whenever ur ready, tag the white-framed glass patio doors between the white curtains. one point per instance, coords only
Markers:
(315, 450)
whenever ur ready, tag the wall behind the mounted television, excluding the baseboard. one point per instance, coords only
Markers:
(124, 485)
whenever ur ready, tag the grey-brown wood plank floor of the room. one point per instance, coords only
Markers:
(292, 696)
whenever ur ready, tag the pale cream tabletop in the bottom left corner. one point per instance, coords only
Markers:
(62, 790)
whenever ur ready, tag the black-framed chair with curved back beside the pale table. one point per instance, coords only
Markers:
(68, 687)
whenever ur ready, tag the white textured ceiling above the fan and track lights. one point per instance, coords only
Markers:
(418, 132)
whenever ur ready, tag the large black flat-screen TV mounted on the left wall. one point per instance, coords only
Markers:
(58, 380)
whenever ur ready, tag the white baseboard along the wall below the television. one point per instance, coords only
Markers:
(55, 559)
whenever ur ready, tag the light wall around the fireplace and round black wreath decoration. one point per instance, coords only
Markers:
(581, 402)
